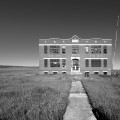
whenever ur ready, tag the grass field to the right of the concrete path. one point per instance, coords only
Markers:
(104, 96)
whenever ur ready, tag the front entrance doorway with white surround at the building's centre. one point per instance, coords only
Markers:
(75, 65)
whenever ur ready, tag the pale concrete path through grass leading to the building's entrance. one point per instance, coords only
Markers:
(79, 107)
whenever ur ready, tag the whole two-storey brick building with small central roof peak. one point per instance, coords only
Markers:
(75, 56)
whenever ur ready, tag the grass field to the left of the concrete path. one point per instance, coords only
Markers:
(25, 95)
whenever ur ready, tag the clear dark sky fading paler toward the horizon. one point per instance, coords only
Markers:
(24, 22)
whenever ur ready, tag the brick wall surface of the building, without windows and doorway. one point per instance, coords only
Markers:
(81, 54)
